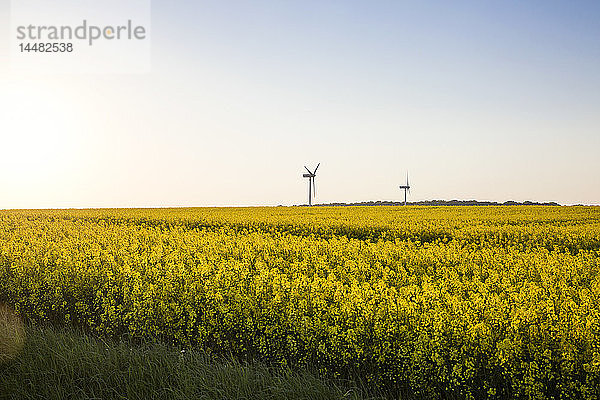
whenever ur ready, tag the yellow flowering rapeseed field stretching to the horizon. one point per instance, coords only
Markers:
(441, 302)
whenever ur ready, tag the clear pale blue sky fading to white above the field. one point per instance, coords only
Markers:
(486, 100)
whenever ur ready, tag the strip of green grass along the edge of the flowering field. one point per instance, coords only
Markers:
(68, 364)
